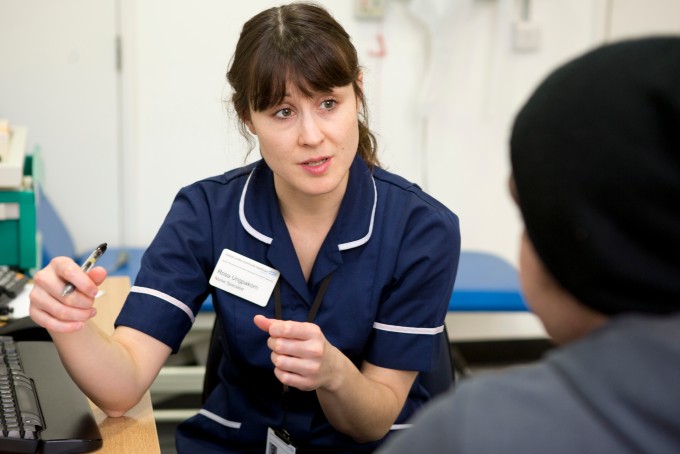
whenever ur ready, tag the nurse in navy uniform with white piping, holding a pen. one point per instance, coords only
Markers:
(330, 276)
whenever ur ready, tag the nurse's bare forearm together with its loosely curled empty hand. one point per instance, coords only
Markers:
(362, 403)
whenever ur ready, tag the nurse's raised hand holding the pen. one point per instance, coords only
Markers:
(58, 313)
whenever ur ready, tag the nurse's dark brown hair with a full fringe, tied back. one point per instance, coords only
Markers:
(299, 43)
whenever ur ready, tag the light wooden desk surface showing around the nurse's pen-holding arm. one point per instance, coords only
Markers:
(136, 431)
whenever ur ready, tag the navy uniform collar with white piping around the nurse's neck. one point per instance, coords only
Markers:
(259, 212)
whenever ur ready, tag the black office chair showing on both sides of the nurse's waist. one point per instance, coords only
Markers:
(436, 381)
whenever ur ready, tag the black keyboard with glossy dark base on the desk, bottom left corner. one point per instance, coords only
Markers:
(41, 409)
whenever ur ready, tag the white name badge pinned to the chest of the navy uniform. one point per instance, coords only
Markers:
(244, 277)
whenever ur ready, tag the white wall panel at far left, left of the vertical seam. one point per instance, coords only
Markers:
(57, 78)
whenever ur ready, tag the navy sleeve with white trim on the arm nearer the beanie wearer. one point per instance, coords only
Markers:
(410, 319)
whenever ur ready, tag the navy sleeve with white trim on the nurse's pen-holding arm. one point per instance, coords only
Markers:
(173, 279)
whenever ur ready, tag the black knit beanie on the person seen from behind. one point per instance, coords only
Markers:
(595, 156)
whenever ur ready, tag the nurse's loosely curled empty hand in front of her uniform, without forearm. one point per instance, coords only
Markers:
(302, 356)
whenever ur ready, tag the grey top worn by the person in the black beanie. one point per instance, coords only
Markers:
(618, 390)
